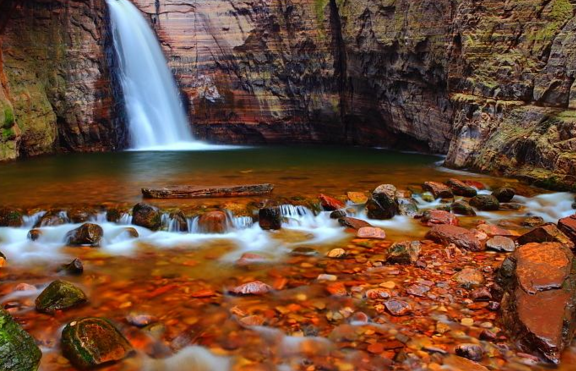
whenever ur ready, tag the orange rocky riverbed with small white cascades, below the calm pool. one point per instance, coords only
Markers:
(443, 276)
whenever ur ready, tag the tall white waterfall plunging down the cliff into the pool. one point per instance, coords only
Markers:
(156, 116)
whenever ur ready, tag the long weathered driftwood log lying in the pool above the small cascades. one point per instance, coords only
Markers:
(208, 191)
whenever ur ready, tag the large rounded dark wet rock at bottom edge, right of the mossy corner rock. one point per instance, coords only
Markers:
(92, 342)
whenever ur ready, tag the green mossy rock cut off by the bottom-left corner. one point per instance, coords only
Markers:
(18, 350)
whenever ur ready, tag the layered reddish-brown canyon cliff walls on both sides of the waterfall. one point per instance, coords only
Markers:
(489, 83)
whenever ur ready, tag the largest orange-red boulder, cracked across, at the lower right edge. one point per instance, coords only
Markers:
(539, 302)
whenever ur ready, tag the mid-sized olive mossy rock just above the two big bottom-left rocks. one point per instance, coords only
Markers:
(59, 295)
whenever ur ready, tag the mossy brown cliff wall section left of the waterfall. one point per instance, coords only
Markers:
(56, 87)
